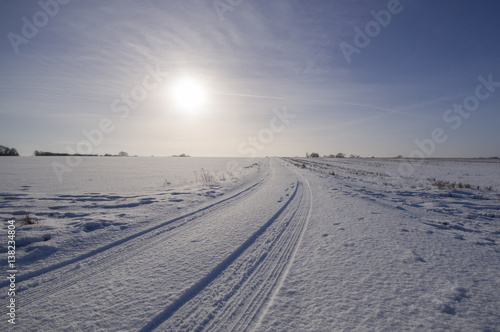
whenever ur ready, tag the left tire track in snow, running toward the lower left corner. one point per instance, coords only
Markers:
(64, 274)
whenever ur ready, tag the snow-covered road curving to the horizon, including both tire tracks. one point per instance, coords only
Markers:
(224, 284)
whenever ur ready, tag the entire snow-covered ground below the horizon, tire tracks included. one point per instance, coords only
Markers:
(140, 244)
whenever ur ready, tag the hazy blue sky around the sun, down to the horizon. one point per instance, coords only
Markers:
(254, 59)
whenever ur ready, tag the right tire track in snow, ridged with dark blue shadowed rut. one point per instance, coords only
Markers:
(236, 293)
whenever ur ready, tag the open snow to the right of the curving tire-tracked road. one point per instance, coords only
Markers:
(401, 257)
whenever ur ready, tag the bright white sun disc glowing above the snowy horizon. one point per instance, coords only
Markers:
(189, 94)
